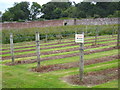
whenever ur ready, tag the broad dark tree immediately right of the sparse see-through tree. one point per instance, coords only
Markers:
(54, 10)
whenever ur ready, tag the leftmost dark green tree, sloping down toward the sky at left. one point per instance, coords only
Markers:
(20, 11)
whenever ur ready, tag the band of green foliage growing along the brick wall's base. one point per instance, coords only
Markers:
(28, 34)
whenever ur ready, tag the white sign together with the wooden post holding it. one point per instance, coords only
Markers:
(79, 38)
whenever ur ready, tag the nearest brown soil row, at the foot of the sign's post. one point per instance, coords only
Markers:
(93, 78)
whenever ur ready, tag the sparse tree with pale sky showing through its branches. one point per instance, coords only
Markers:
(35, 10)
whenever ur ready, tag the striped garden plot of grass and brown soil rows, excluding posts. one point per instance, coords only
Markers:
(60, 65)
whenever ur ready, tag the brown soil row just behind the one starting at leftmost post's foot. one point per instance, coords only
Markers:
(56, 51)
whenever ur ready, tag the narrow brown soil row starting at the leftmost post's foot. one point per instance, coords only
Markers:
(60, 56)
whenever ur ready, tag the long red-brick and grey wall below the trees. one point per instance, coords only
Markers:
(98, 21)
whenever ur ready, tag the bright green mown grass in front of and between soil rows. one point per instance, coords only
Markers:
(20, 76)
